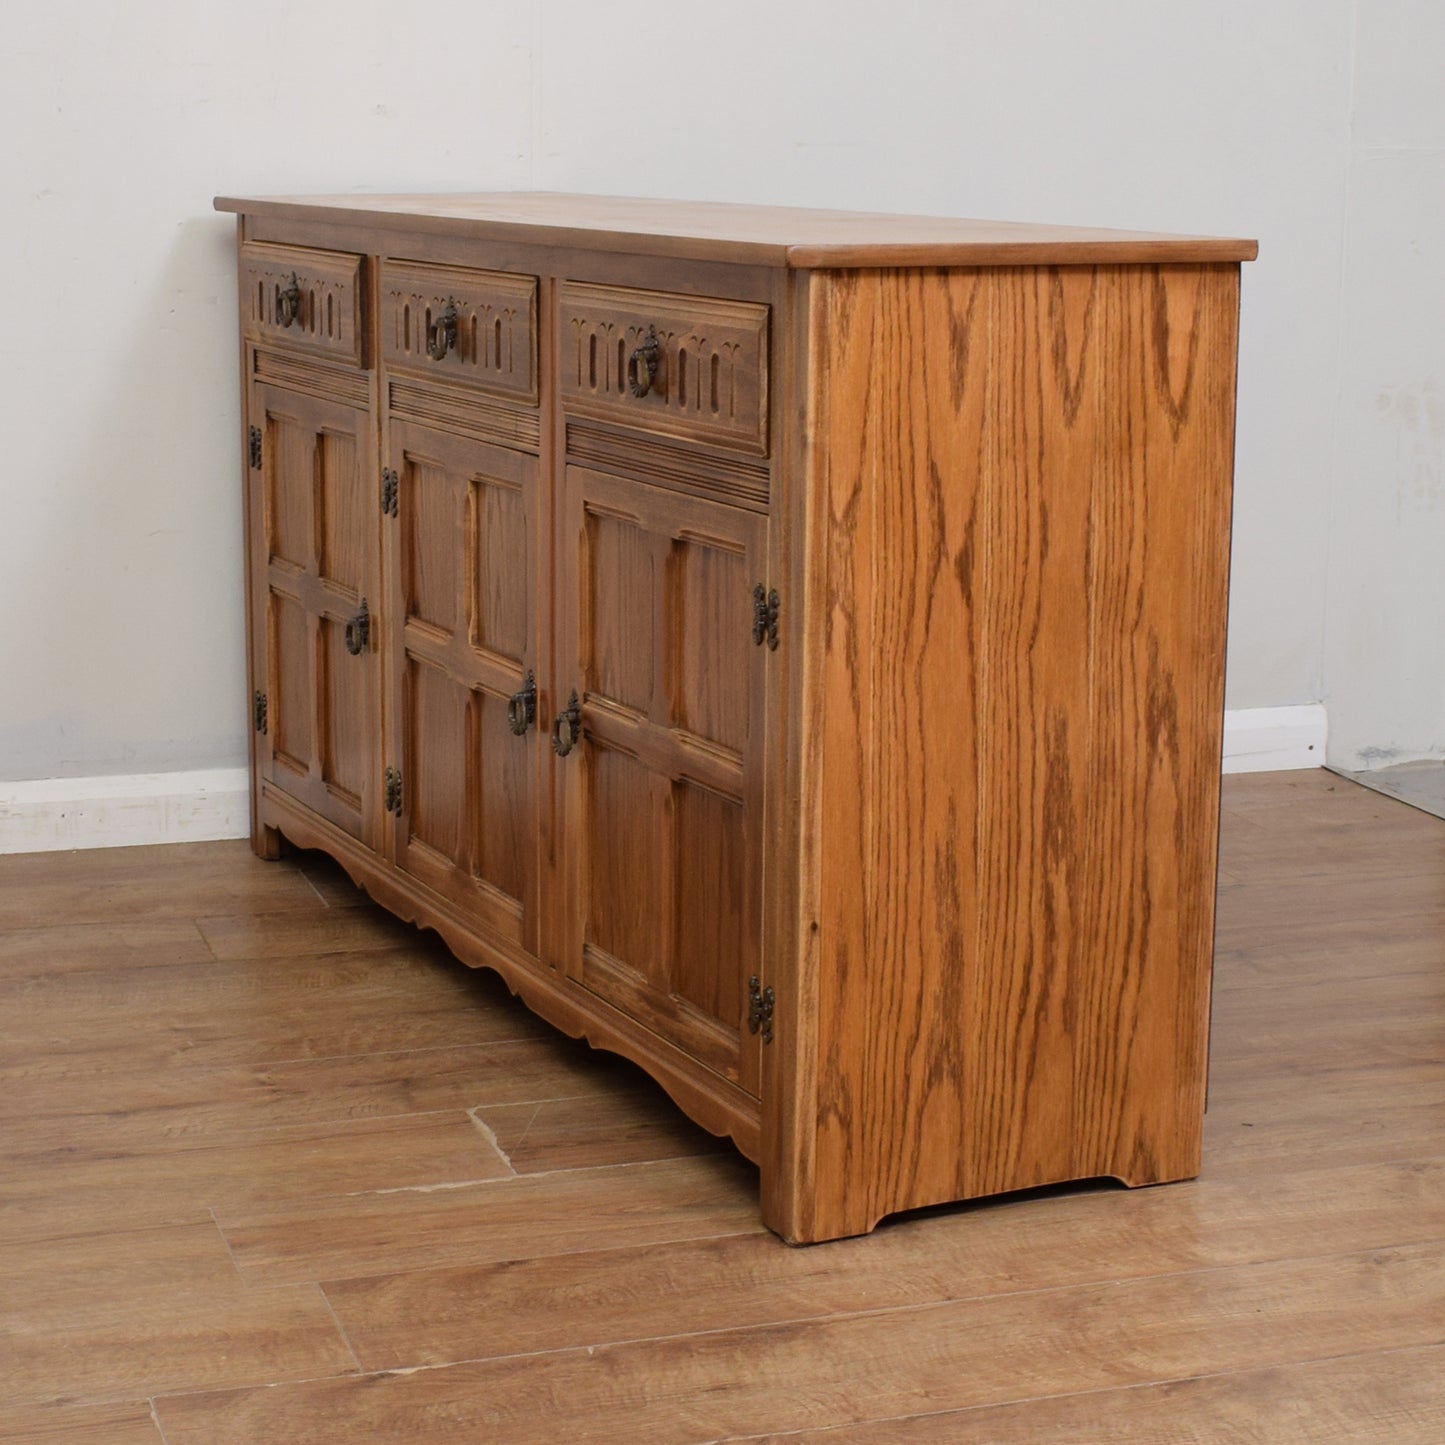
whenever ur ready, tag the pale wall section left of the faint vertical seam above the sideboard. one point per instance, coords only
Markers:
(121, 495)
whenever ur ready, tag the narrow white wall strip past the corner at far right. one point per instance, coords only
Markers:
(1385, 637)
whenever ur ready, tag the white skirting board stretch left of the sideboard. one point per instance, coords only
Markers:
(124, 811)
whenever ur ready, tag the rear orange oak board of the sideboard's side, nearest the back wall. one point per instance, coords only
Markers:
(1158, 600)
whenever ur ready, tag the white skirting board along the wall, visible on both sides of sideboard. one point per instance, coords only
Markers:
(137, 808)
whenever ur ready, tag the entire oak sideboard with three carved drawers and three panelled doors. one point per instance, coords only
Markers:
(785, 645)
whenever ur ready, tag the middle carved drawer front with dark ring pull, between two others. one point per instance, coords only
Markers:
(472, 327)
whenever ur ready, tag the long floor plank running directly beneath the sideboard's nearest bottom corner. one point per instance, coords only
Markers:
(738, 1282)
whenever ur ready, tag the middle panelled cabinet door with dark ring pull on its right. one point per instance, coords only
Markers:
(465, 742)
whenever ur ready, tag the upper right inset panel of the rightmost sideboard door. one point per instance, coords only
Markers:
(709, 608)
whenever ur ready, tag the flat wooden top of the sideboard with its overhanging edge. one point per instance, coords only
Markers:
(756, 235)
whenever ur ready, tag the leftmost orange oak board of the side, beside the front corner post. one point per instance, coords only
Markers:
(902, 453)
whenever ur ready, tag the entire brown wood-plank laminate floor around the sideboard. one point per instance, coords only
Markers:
(275, 1170)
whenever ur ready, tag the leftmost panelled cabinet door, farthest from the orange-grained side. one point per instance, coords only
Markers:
(316, 598)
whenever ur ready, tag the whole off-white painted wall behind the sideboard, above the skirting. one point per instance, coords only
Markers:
(121, 491)
